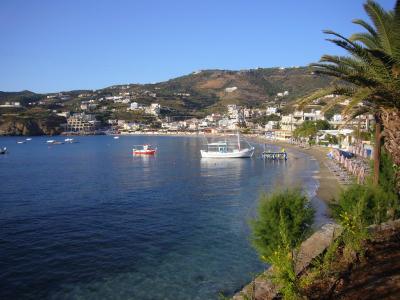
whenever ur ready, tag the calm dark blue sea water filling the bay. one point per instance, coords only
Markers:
(90, 221)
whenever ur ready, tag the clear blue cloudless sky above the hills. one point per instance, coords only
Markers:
(54, 45)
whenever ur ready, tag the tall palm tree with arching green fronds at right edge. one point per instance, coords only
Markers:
(370, 76)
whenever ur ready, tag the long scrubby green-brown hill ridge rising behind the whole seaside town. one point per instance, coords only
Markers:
(195, 94)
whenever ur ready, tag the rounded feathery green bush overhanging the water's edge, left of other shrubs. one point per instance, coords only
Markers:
(290, 208)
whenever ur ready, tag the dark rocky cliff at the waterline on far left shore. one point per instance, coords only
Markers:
(31, 126)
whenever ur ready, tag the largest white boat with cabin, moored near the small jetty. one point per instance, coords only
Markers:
(224, 149)
